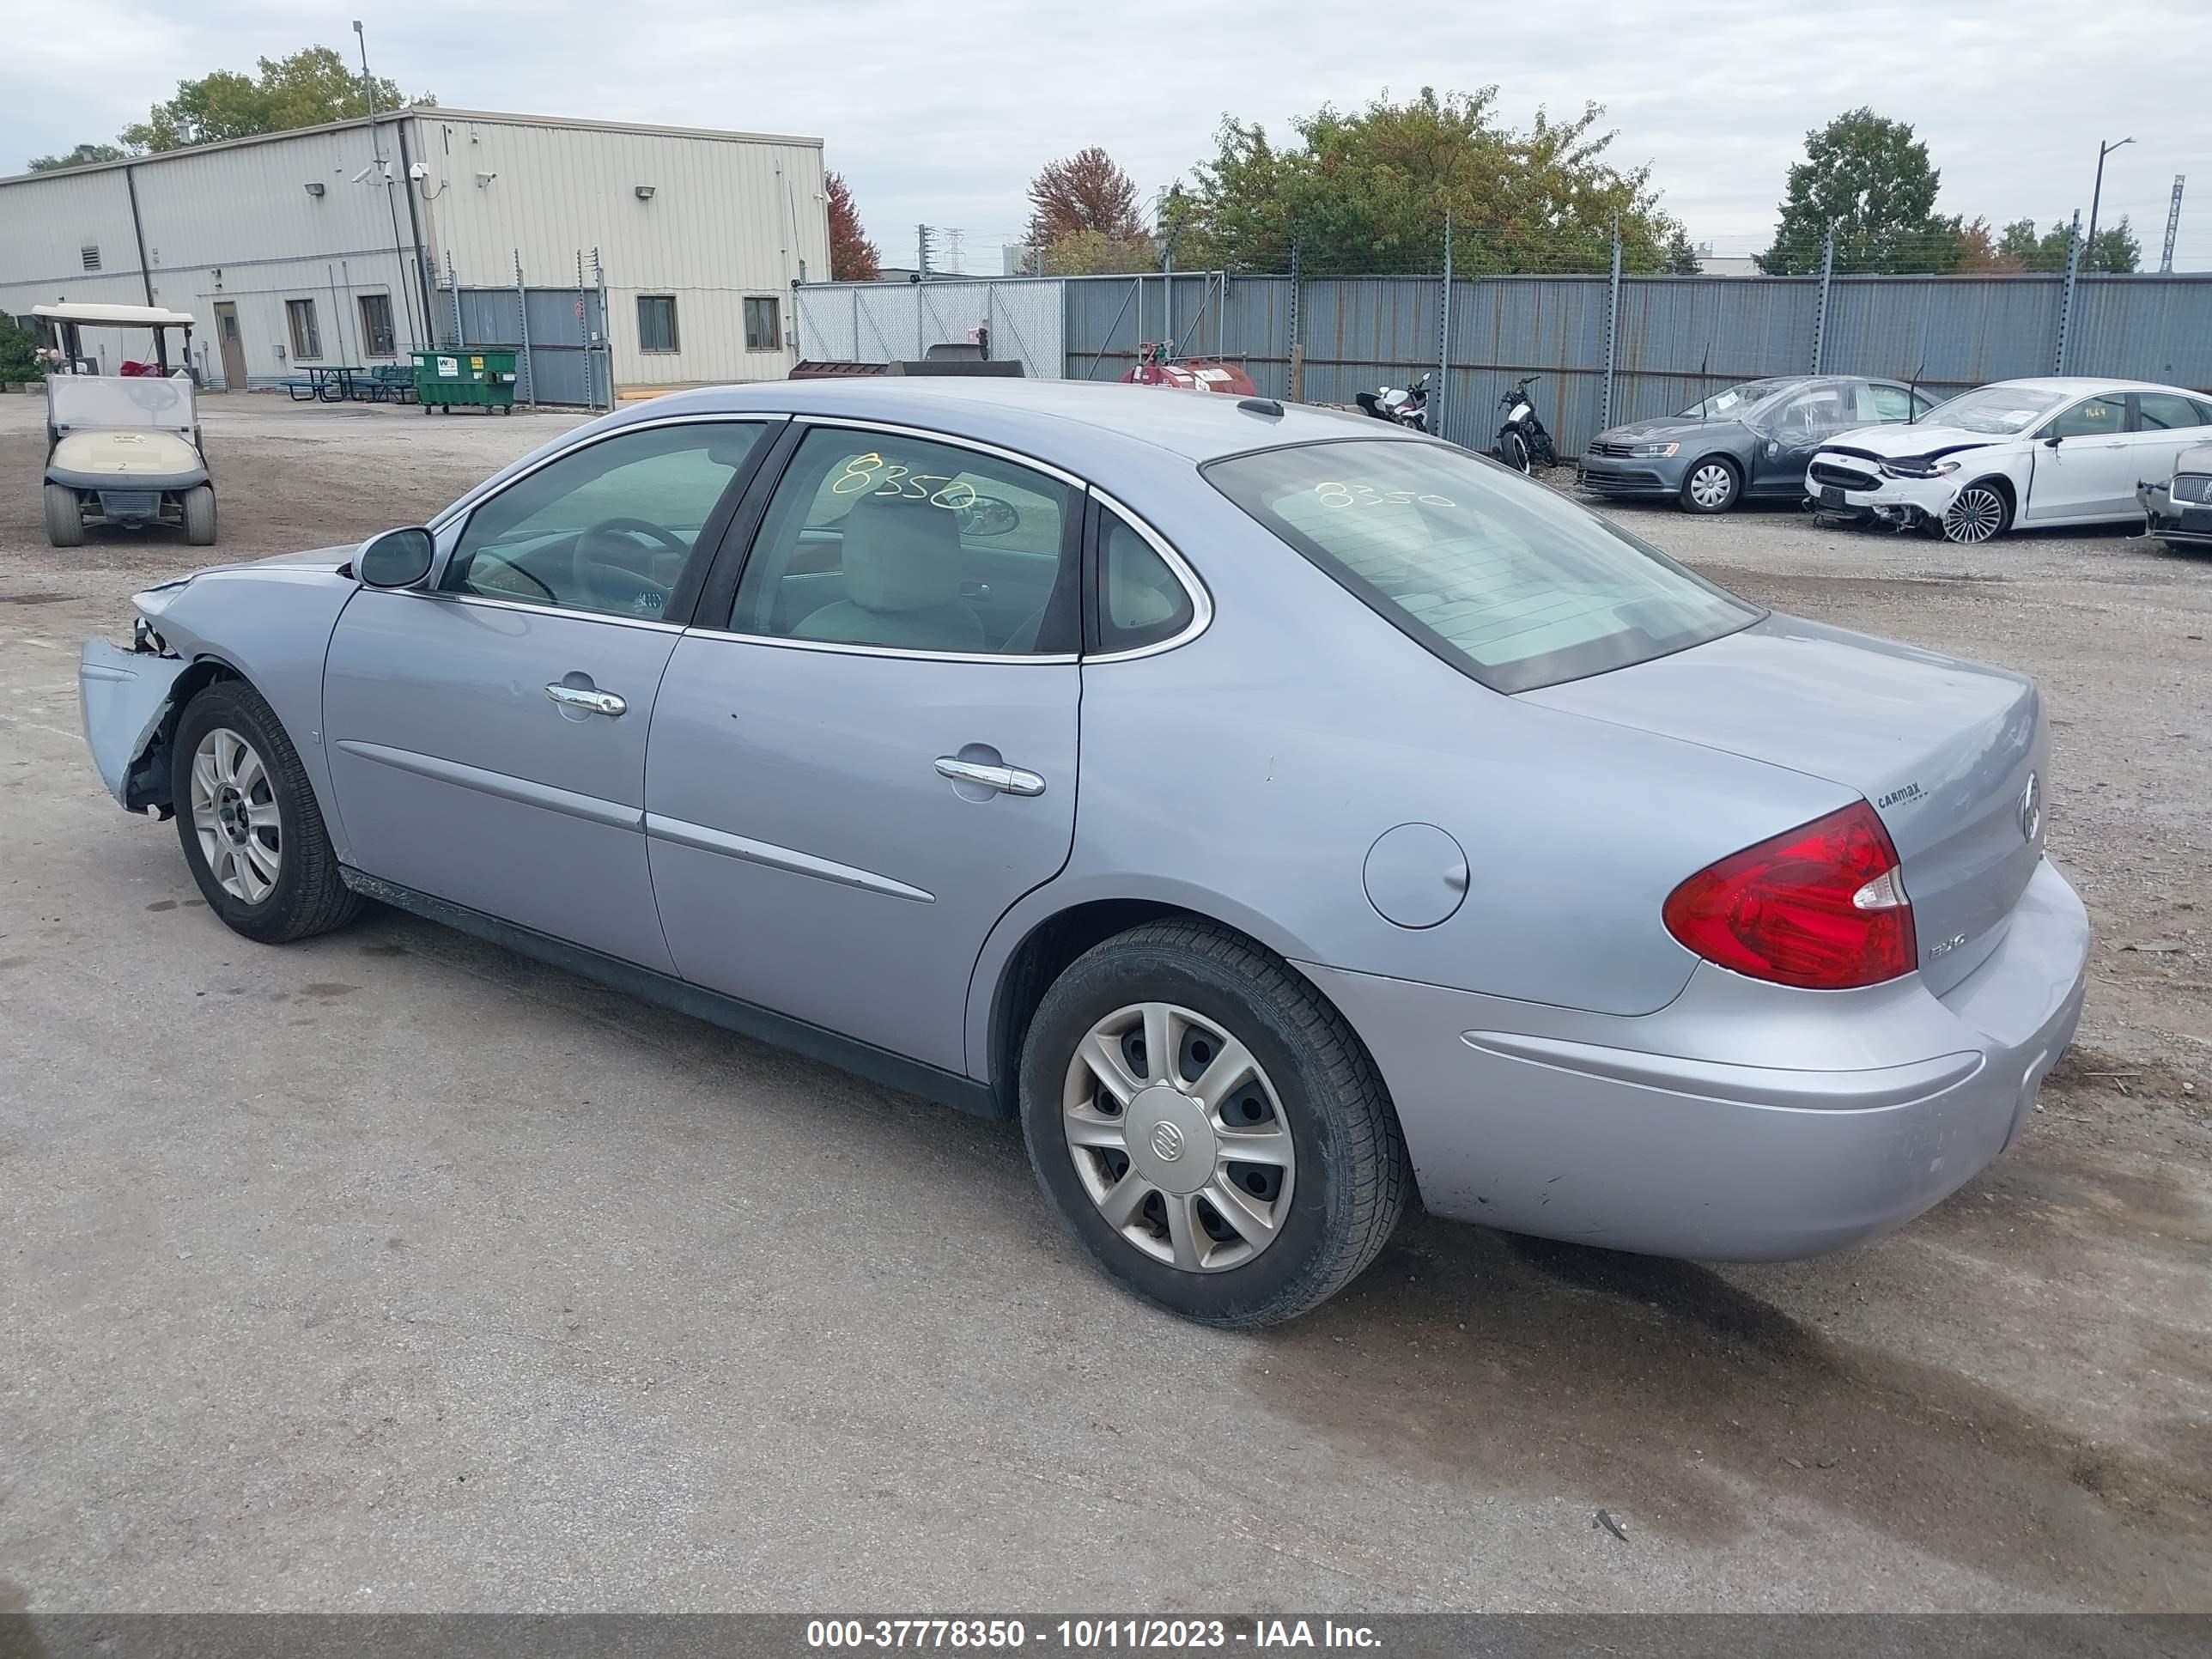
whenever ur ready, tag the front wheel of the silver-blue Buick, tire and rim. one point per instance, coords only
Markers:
(251, 828)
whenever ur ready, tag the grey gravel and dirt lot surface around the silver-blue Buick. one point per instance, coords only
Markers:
(399, 1273)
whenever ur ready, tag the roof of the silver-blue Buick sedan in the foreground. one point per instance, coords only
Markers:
(1200, 426)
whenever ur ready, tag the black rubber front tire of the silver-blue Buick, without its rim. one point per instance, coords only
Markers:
(309, 895)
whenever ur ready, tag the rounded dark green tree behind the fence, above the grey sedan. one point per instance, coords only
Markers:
(1870, 182)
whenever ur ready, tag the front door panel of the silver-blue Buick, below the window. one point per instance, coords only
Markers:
(461, 778)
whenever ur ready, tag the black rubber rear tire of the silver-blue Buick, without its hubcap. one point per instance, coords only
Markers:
(1353, 1173)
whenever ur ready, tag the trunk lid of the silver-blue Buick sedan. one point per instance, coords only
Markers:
(1950, 755)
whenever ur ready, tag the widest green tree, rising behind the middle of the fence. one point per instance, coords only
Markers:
(1370, 191)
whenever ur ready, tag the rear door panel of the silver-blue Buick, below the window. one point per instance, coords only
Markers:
(806, 853)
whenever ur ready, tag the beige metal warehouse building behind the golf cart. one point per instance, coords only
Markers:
(649, 255)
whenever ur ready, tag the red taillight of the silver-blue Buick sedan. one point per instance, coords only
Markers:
(1819, 908)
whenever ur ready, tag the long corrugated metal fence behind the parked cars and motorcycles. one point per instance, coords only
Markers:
(1676, 337)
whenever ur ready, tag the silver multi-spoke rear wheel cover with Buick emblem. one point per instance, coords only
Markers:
(1191, 1160)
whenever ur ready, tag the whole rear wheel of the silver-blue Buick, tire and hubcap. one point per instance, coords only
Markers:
(1209, 1127)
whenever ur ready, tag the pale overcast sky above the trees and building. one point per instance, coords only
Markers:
(943, 112)
